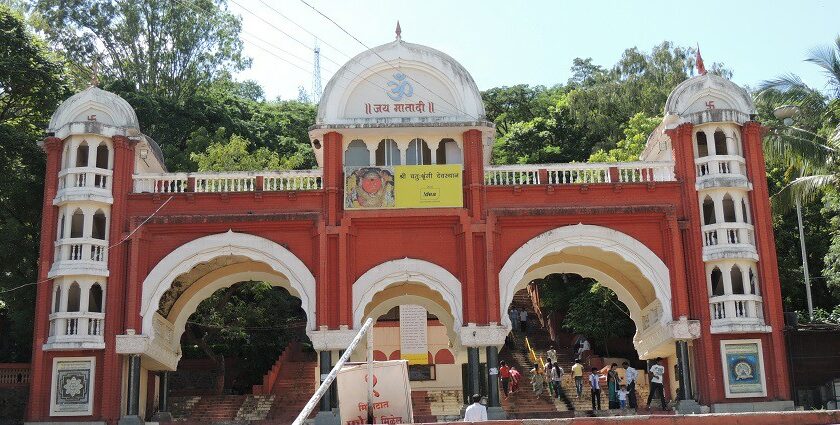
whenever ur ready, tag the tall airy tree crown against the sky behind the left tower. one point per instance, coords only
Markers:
(158, 46)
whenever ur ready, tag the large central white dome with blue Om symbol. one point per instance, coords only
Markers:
(440, 87)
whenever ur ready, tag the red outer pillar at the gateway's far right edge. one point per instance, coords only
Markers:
(768, 268)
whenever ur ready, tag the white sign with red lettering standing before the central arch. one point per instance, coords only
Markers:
(391, 393)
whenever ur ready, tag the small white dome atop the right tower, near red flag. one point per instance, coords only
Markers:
(708, 98)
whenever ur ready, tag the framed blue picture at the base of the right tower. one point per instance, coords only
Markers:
(743, 365)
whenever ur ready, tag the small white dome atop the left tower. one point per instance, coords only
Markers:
(103, 106)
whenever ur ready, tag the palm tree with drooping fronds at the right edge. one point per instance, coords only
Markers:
(812, 146)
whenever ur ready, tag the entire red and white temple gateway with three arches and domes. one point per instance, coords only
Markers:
(406, 221)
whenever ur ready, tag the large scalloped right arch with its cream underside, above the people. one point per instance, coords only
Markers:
(620, 262)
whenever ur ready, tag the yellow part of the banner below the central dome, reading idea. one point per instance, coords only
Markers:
(428, 186)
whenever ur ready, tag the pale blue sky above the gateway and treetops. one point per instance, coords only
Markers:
(534, 42)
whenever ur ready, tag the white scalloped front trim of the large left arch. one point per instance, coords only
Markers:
(206, 248)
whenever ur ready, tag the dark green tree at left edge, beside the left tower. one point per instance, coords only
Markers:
(31, 86)
